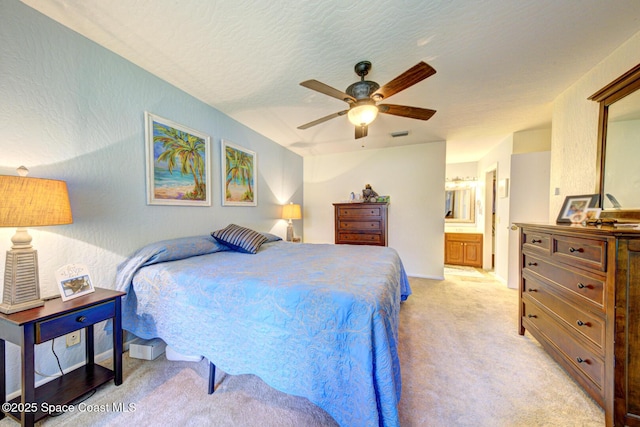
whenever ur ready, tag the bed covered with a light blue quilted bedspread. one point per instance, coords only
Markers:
(312, 320)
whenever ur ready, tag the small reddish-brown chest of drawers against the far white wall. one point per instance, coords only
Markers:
(361, 223)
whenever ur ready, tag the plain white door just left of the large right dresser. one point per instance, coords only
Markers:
(528, 201)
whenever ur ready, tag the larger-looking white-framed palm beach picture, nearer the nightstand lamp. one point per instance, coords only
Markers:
(178, 164)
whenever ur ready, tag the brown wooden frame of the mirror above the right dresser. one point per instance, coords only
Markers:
(624, 85)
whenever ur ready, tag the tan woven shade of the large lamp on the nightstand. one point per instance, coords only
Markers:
(33, 202)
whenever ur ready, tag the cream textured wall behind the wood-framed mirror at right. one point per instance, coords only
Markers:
(574, 136)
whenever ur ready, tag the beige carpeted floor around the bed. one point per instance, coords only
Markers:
(463, 364)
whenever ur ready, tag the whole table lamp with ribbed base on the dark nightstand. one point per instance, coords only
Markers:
(28, 202)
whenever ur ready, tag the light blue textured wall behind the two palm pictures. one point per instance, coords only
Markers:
(72, 110)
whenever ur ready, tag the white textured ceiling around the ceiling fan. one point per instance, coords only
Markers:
(499, 63)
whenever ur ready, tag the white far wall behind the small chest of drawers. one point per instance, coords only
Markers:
(412, 175)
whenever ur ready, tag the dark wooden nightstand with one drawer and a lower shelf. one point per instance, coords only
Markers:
(55, 319)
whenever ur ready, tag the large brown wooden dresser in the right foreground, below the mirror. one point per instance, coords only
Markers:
(580, 298)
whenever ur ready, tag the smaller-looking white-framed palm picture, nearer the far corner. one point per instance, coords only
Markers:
(239, 176)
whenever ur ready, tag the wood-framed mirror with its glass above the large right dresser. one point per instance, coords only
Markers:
(618, 181)
